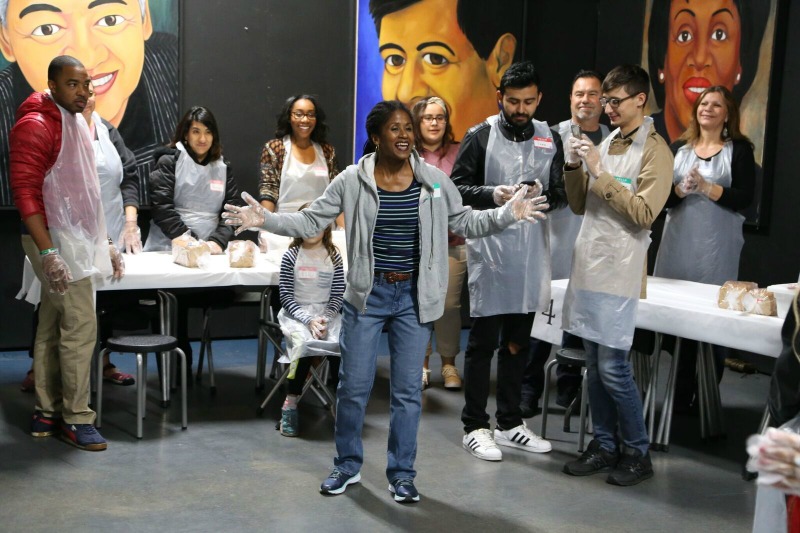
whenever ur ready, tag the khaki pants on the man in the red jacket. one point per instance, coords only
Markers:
(62, 351)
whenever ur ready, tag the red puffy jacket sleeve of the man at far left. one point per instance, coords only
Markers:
(34, 144)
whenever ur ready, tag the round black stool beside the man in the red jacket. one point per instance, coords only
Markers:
(141, 345)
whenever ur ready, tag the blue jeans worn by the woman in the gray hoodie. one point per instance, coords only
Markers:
(393, 305)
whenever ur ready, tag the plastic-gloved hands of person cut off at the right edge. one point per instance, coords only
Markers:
(775, 456)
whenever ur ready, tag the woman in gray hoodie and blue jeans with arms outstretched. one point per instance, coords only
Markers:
(397, 212)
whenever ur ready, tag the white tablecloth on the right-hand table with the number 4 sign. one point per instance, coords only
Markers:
(687, 310)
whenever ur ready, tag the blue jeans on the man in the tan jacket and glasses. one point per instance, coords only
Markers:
(614, 398)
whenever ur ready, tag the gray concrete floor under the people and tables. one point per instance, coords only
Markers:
(233, 471)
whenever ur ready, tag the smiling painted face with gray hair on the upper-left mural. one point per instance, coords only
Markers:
(107, 36)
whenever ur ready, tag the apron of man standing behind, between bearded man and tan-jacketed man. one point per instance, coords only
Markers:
(564, 224)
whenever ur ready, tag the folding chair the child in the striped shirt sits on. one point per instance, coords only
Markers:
(270, 332)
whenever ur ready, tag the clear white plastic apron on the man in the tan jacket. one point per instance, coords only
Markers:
(606, 280)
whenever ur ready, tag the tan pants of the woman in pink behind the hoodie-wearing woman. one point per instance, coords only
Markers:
(448, 327)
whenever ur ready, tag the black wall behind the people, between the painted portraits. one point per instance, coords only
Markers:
(243, 58)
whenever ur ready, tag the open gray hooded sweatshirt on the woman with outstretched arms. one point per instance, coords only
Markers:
(354, 193)
